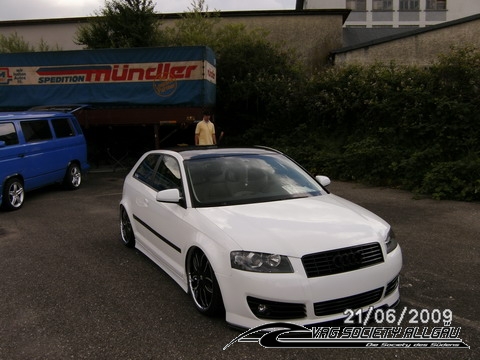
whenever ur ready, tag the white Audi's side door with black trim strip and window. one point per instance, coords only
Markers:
(161, 224)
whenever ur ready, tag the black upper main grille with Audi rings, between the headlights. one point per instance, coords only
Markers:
(342, 260)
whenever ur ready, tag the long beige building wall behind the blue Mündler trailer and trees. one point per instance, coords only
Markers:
(313, 34)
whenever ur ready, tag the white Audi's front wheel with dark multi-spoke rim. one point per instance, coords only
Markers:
(202, 284)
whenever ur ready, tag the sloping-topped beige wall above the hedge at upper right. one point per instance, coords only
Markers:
(418, 48)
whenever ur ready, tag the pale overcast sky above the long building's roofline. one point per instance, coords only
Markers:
(49, 9)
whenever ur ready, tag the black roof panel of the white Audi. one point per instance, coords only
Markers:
(190, 153)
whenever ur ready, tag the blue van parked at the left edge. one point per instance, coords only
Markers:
(39, 148)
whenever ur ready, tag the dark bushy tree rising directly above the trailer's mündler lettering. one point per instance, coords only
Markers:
(121, 24)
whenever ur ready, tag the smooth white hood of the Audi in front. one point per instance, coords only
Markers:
(297, 227)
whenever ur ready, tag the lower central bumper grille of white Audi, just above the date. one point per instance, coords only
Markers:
(338, 306)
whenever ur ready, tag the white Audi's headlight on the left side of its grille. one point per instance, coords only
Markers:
(260, 262)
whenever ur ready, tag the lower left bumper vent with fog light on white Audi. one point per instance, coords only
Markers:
(265, 309)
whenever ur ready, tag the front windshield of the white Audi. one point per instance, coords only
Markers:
(243, 179)
